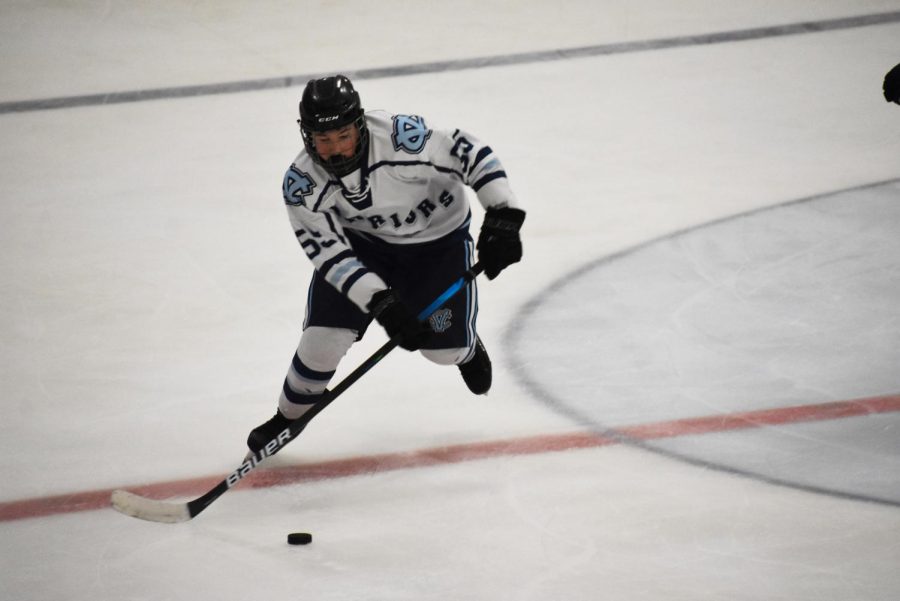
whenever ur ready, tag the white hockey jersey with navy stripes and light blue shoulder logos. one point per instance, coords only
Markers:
(411, 189)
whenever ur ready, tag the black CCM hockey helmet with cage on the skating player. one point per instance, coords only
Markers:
(332, 103)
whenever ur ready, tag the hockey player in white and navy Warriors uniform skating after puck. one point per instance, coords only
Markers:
(378, 203)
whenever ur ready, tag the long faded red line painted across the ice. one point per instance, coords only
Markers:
(354, 466)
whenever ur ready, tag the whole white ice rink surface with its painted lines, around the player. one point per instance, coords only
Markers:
(696, 366)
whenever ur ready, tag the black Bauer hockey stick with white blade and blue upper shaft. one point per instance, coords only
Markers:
(173, 512)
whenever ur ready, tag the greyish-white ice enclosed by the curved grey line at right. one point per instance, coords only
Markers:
(788, 306)
